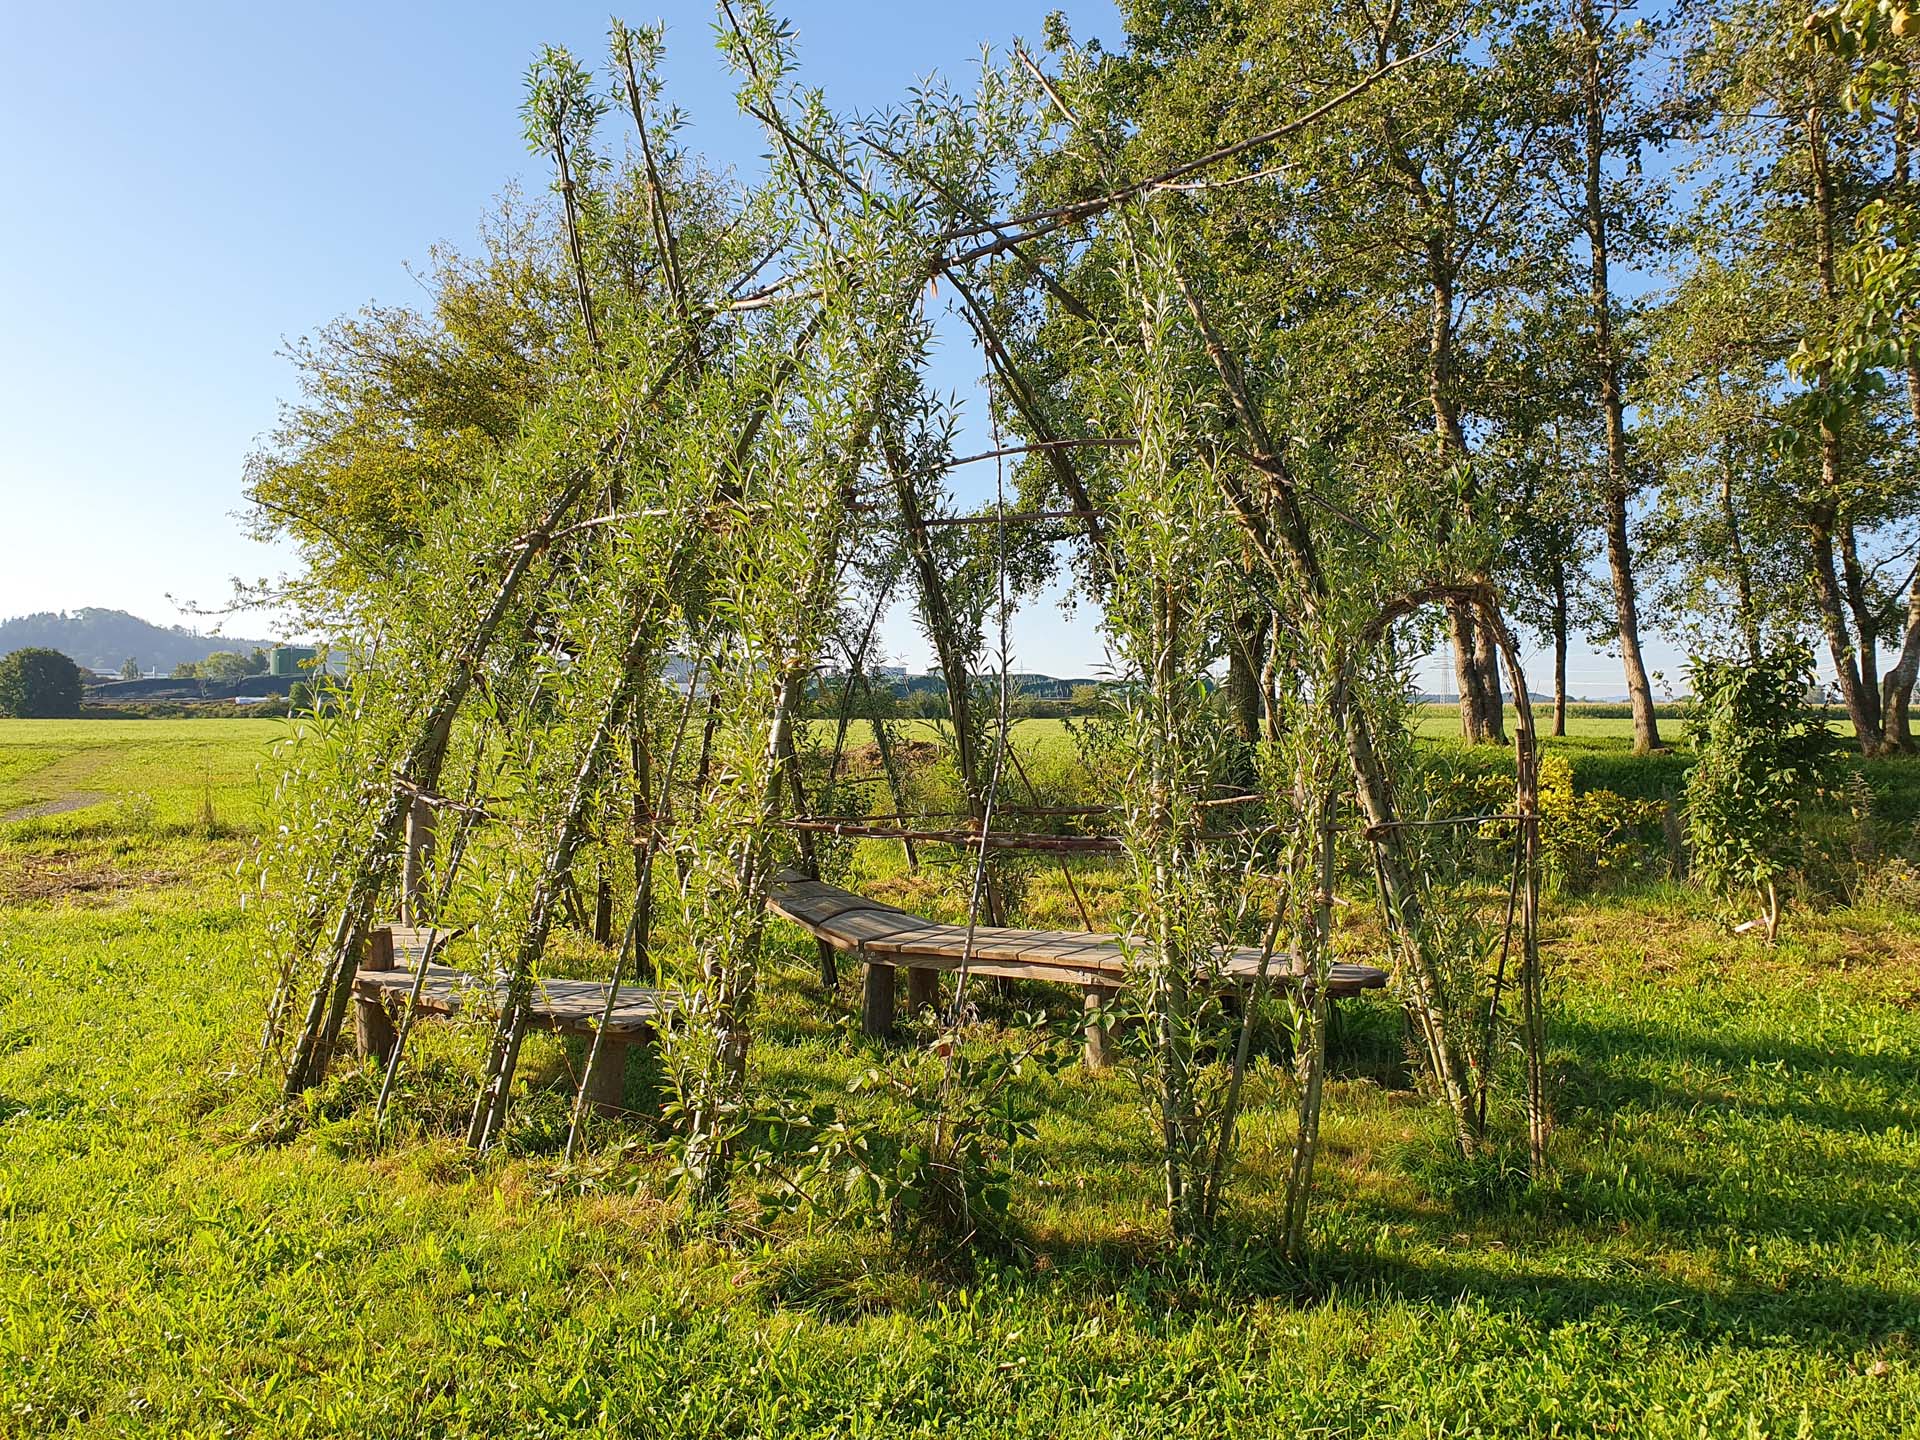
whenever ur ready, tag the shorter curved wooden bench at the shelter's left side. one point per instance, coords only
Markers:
(567, 1007)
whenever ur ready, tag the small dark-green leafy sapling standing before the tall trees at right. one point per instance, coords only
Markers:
(1764, 754)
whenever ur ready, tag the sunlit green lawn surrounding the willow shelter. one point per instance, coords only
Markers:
(1729, 1247)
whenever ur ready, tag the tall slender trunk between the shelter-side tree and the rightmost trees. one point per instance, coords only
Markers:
(1608, 366)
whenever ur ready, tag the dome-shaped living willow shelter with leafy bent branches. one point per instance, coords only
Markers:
(734, 464)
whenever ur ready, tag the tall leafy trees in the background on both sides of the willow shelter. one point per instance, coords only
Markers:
(1602, 287)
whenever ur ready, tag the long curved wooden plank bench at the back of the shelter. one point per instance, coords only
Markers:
(888, 940)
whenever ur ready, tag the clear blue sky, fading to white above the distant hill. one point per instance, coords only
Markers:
(197, 183)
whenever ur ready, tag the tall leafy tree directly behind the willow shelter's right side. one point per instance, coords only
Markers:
(1385, 245)
